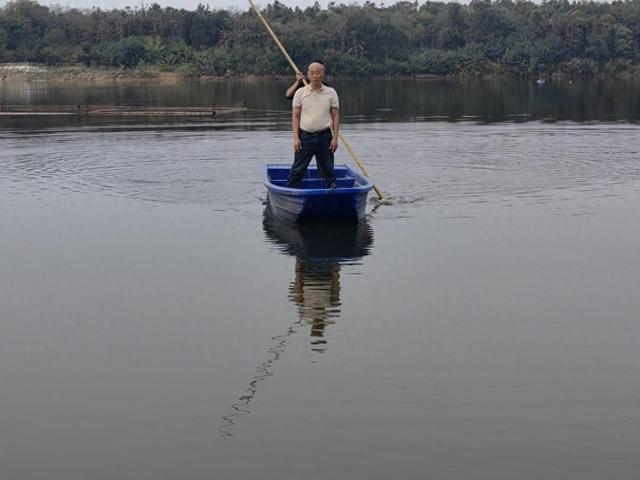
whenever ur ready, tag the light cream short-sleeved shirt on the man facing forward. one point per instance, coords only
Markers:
(315, 107)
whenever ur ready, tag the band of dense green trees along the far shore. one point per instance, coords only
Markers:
(484, 37)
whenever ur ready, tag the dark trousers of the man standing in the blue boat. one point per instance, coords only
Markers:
(317, 144)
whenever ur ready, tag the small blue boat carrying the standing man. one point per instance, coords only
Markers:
(312, 199)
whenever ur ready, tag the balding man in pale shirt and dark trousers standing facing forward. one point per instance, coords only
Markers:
(315, 115)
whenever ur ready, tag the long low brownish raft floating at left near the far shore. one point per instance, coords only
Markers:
(118, 110)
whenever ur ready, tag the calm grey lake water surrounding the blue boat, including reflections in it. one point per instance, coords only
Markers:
(483, 323)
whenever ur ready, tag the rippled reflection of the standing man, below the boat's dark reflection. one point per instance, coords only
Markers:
(316, 291)
